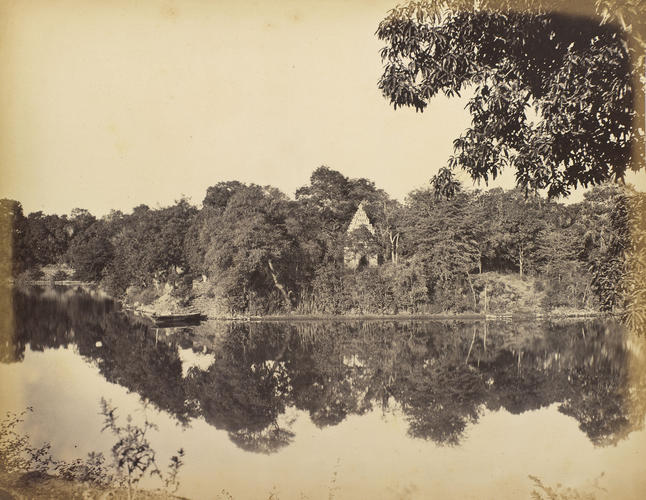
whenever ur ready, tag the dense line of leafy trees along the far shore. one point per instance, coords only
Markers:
(262, 252)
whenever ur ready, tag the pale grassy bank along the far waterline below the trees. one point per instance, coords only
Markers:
(492, 295)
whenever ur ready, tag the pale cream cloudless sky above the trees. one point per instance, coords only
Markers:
(110, 104)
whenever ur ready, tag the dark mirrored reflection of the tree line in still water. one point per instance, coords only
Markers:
(441, 376)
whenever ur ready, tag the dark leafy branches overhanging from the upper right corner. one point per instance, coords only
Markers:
(555, 94)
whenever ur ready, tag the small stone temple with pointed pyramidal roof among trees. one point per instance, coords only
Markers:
(361, 248)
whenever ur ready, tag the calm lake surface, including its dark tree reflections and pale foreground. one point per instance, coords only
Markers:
(373, 409)
